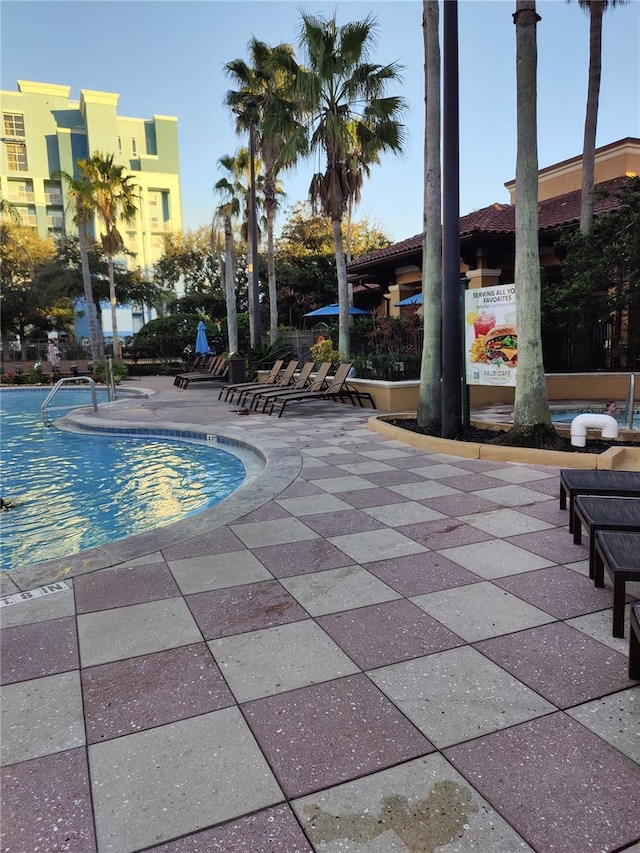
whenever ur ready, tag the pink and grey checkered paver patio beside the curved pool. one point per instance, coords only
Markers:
(369, 648)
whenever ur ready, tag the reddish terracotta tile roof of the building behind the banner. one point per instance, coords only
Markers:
(500, 219)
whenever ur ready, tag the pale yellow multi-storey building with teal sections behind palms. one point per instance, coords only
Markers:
(45, 131)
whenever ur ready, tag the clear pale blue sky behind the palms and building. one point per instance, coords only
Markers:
(167, 56)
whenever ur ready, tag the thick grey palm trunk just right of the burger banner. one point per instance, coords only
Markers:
(531, 416)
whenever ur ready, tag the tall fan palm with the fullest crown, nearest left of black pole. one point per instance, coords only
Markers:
(341, 98)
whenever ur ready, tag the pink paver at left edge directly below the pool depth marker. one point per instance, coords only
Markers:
(38, 648)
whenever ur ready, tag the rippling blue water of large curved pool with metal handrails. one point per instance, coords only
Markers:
(73, 492)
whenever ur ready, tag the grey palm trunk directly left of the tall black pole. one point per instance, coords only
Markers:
(429, 412)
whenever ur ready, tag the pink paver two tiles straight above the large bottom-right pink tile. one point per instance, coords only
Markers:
(387, 633)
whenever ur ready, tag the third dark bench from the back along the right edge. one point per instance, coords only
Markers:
(619, 554)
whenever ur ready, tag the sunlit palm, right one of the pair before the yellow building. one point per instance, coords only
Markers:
(114, 197)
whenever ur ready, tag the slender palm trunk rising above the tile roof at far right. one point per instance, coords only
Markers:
(596, 10)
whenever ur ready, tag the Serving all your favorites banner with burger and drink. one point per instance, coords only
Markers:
(491, 336)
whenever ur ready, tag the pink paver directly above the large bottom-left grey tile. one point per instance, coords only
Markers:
(143, 692)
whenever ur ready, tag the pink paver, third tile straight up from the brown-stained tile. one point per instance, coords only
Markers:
(223, 612)
